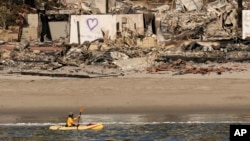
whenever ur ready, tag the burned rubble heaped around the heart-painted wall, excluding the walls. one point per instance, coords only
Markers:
(174, 40)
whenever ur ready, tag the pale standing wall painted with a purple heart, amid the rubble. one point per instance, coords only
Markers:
(91, 26)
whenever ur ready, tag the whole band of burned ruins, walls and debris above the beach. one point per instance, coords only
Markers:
(178, 36)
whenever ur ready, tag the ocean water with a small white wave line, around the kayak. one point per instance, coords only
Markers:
(199, 127)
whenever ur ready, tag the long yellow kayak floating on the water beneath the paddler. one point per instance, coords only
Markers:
(97, 126)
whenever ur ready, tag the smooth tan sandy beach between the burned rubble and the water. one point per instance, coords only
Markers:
(45, 97)
